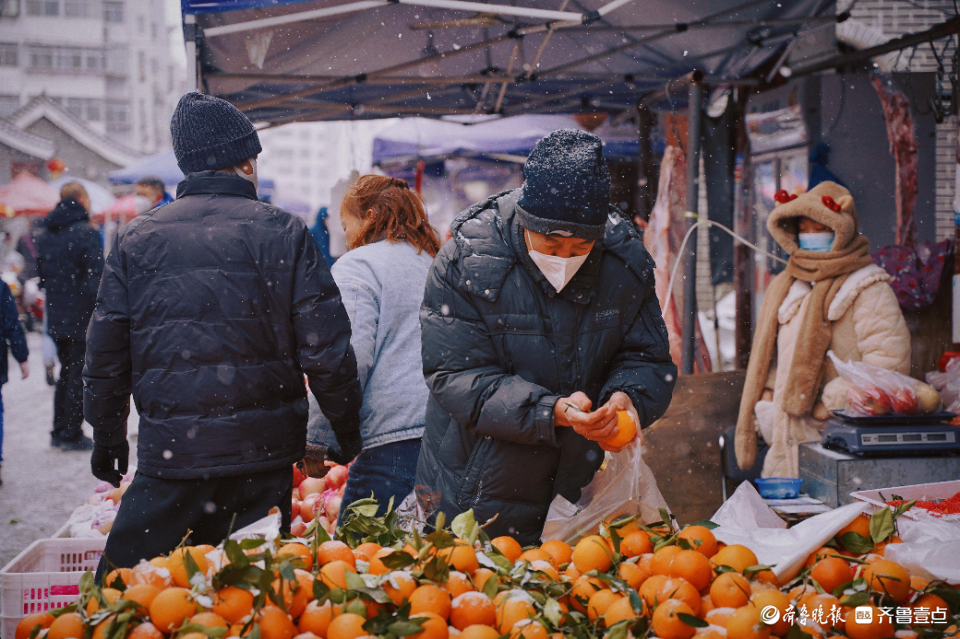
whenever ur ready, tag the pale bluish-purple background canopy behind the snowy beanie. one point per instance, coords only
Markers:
(509, 139)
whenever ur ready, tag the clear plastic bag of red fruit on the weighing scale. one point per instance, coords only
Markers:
(877, 391)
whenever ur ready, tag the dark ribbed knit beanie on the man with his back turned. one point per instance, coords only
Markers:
(210, 134)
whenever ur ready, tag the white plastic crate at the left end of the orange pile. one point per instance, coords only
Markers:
(44, 576)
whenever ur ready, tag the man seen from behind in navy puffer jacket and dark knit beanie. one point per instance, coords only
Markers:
(211, 310)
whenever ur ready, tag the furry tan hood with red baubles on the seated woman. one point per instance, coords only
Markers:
(816, 205)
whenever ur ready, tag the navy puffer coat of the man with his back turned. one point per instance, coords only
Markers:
(211, 310)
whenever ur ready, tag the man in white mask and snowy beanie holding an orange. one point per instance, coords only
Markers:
(540, 308)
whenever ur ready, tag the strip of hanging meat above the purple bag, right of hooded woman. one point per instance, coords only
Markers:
(903, 148)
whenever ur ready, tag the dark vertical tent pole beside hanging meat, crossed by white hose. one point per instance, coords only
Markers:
(693, 201)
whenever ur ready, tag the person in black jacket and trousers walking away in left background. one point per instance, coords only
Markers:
(69, 263)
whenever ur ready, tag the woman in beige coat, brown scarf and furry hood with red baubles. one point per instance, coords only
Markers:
(830, 297)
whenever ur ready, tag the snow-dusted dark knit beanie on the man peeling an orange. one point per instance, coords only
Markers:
(566, 188)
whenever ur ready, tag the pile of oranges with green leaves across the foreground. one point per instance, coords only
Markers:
(650, 581)
